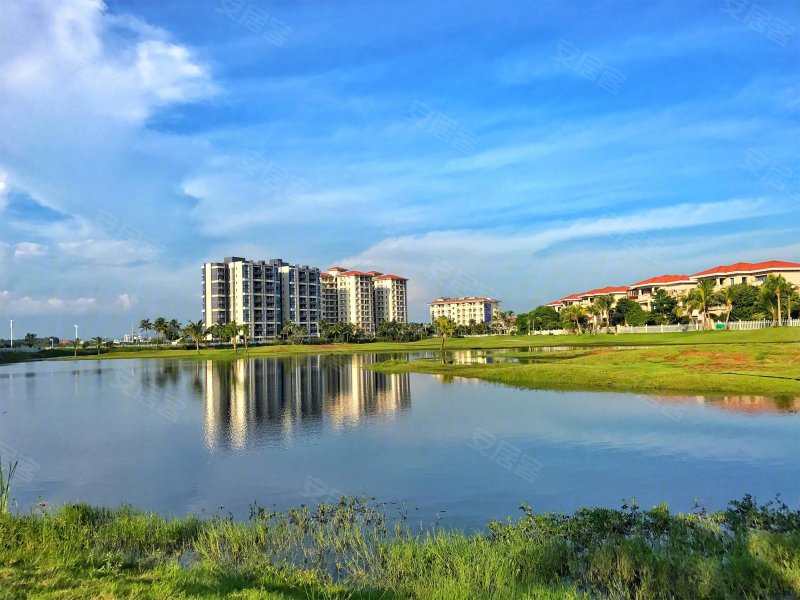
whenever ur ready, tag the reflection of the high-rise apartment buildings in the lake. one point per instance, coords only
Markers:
(279, 398)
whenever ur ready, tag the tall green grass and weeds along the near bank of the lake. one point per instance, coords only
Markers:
(350, 550)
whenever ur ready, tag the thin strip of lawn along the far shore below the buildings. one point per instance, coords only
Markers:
(775, 335)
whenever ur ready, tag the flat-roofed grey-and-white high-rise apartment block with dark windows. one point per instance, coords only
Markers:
(262, 295)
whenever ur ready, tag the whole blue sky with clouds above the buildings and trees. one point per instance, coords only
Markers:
(523, 150)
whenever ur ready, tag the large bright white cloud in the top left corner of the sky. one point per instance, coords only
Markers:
(71, 52)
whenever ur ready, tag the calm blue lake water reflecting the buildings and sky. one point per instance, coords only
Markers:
(189, 437)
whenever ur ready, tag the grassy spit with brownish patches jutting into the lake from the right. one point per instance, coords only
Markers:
(746, 369)
